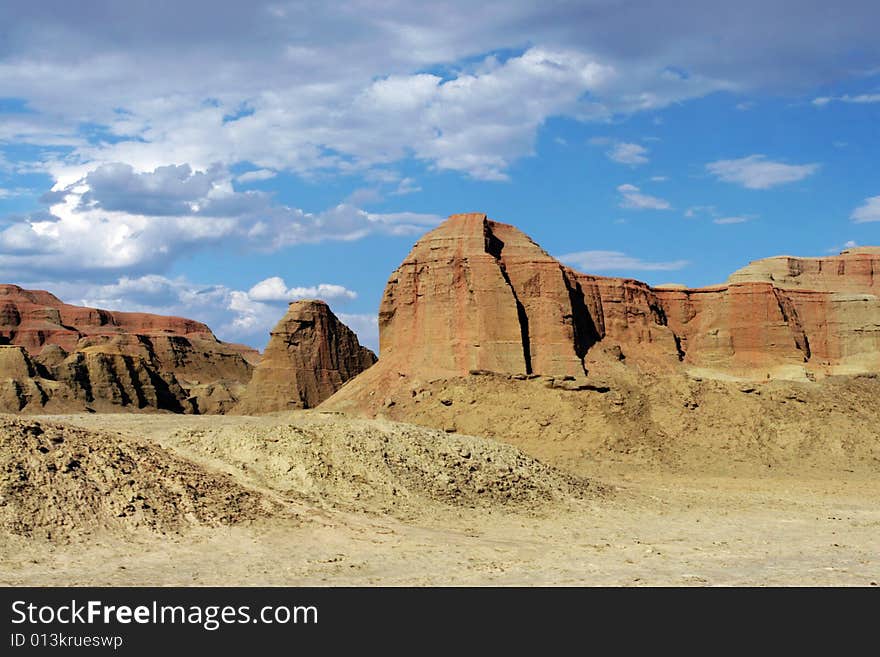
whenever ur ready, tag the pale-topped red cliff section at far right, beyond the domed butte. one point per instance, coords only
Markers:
(785, 315)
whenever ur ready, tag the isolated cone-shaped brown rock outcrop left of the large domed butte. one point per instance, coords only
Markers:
(310, 355)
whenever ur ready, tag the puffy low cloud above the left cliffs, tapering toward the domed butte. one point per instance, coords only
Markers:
(115, 220)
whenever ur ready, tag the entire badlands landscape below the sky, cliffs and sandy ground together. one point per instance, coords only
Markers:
(524, 424)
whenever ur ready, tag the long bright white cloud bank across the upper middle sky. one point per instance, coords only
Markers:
(477, 122)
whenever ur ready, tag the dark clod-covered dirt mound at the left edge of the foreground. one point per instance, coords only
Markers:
(64, 483)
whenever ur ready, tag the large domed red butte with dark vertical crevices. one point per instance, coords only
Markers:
(476, 294)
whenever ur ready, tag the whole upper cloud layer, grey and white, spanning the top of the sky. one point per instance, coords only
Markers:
(329, 99)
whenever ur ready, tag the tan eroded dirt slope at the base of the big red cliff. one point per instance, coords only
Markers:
(674, 422)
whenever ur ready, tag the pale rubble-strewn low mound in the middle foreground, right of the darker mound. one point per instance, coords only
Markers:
(381, 466)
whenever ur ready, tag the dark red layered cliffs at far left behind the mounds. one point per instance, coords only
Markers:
(63, 357)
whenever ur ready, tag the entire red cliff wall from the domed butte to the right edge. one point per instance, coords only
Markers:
(476, 294)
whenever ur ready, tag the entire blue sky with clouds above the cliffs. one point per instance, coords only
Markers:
(221, 159)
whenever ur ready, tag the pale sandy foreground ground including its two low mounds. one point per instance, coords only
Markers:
(317, 498)
